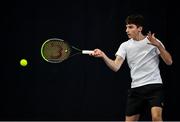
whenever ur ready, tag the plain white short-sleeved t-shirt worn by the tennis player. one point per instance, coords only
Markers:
(143, 61)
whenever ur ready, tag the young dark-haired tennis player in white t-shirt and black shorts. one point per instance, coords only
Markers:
(142, 53)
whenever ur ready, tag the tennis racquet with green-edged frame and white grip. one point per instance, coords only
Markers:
(56, 50)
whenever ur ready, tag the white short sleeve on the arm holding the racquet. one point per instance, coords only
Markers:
(121, 51)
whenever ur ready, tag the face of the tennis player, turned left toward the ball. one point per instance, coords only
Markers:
(133, 31)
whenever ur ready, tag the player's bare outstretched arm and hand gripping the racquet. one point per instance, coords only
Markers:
(112, 64)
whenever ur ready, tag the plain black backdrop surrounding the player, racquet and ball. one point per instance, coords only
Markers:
(83, 87)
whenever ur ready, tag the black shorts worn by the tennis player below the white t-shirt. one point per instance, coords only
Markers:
(140, 97)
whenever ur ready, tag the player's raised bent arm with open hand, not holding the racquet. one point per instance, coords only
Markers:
(165, 55)
